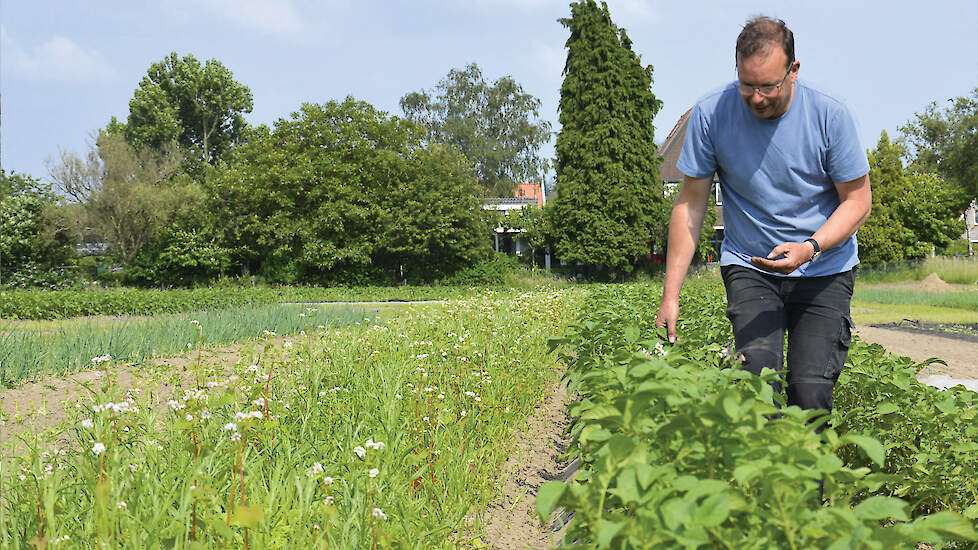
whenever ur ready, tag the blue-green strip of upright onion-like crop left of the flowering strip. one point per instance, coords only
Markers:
(30, 352)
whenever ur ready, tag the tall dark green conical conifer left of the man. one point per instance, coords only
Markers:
(607, 170)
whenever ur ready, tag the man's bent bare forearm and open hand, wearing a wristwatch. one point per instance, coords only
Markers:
(855, 202)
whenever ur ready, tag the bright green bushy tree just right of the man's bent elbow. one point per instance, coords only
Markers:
(913, 212)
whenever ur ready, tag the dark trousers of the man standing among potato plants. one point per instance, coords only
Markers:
(814, 311)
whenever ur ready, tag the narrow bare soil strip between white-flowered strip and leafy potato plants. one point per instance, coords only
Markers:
(512, 522)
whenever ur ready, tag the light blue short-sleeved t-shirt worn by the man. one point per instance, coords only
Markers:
(777, 177)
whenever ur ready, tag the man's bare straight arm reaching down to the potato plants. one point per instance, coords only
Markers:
(685, 226)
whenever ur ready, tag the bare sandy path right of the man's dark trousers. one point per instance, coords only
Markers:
(961, 356)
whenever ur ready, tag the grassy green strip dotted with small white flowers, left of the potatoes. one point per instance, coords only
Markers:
(371, 435)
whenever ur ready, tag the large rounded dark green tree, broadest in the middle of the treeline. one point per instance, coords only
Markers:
(341, 191)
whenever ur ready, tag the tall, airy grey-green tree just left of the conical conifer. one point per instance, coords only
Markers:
(496, 127)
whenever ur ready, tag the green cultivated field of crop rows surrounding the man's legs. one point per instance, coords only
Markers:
(347, 427)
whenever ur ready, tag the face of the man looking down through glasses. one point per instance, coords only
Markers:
(767, 69)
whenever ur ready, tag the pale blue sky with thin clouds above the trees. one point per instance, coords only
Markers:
(67, 66)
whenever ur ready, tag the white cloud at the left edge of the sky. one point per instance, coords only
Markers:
(59, 58)
